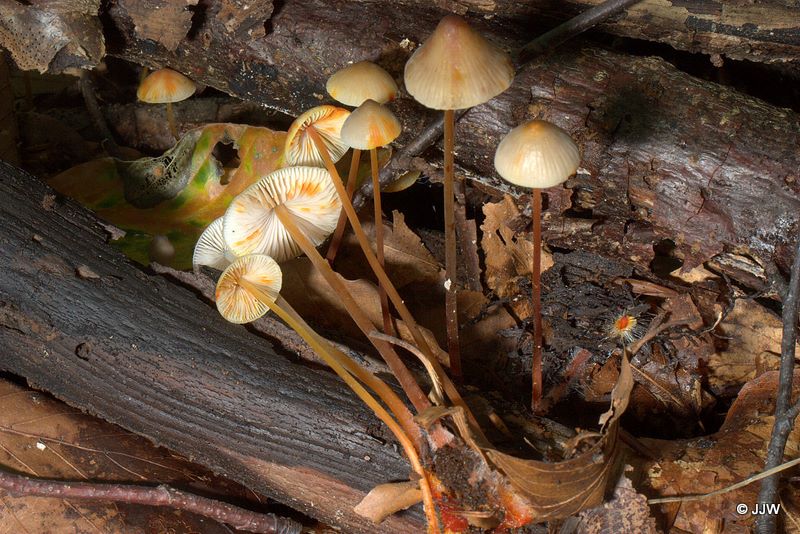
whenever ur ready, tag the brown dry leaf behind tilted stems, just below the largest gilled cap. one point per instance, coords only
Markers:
(308, 293)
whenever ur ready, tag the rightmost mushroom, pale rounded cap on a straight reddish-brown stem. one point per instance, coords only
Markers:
(537, 155)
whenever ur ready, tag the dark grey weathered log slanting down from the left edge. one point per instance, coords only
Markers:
(79, 320)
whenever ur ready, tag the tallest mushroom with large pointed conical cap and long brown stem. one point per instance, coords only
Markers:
(455, 68)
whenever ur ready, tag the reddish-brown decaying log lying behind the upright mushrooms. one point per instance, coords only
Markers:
(666, 156)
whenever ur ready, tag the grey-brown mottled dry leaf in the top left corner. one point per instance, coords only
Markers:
(52, 35)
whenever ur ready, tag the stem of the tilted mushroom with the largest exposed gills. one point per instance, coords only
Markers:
(407, 382)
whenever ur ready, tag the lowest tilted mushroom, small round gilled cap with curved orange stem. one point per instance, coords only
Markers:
(250, 287)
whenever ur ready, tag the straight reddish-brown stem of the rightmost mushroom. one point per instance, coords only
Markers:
(536, 284)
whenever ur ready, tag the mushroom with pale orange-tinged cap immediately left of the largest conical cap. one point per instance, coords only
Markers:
(352, 86)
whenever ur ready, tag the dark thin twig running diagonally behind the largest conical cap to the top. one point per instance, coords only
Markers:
(541, 45)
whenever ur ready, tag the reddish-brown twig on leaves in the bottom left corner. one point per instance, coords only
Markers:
(19, 486)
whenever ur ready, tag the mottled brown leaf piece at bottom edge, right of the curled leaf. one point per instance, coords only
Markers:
(628, 511)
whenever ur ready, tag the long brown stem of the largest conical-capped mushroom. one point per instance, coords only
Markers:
(450, 255)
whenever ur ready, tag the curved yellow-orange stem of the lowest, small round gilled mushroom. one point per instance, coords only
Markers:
(326, 351)
